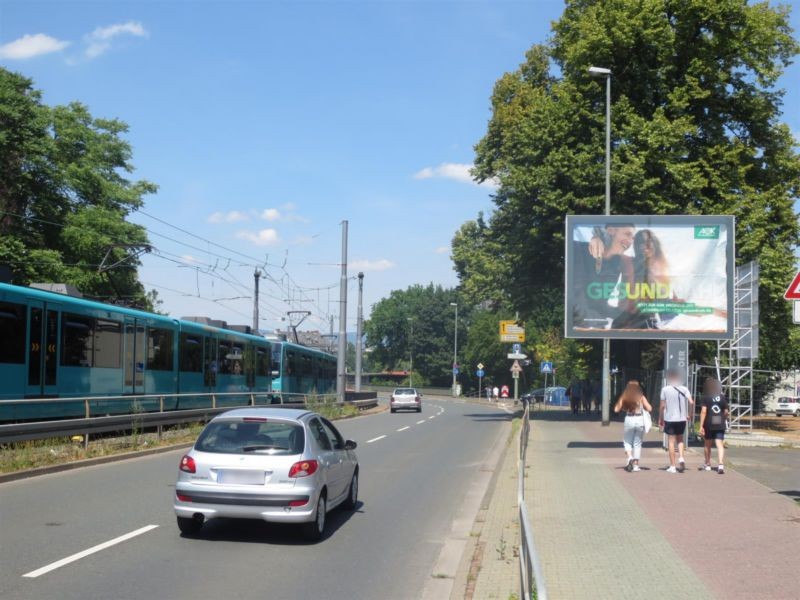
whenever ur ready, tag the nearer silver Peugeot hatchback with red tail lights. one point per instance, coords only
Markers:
(278, 465)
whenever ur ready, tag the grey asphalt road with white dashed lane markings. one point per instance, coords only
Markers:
(411, 486)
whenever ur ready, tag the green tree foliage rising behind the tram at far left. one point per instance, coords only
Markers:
(64, 195)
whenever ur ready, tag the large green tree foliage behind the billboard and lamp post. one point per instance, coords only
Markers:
(695, 130)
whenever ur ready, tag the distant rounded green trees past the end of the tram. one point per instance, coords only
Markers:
(425, 311)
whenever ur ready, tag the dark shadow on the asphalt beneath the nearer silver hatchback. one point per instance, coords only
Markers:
(255, 531)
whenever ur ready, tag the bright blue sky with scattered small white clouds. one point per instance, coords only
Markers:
(267, 124)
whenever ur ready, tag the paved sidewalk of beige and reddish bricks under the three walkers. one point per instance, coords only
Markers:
(602, 532)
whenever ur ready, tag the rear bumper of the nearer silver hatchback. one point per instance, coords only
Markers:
(272, 507)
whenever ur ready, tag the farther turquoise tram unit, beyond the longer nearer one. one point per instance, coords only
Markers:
(302, 370)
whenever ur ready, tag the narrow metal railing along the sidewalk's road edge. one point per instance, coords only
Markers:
(531, 578)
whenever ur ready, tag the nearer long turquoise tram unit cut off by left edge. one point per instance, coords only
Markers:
(58, 346)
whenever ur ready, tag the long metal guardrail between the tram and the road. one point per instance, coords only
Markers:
(94, 424)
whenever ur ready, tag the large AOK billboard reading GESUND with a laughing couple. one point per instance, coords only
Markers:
(649, 277)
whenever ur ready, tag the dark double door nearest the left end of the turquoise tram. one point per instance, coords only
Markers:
(42, 349)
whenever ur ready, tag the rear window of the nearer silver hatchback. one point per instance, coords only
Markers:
(246, 437)
